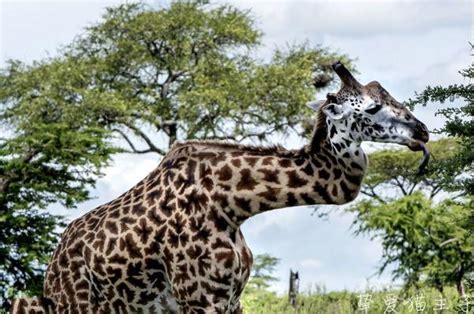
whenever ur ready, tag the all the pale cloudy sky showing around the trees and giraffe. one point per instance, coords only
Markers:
(406, 45)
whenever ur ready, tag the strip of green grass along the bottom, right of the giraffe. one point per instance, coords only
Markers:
(343, 302)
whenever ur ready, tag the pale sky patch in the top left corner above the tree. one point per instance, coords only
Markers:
(31, 30)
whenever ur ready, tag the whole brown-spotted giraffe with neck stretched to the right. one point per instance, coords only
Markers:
(172, 243)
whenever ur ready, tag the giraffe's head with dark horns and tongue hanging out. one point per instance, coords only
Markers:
(369, 113)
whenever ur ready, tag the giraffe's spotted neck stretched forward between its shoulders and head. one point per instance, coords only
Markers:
(327, 171)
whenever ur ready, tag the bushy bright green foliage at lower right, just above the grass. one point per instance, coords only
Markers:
(425, 240)
